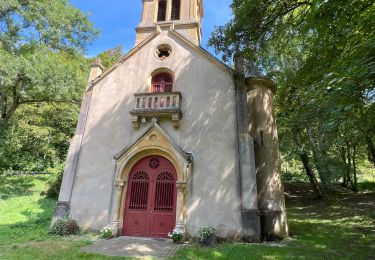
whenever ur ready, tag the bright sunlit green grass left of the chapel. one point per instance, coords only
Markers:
(25, 216)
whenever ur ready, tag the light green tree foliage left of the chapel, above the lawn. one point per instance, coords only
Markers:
(43, 73)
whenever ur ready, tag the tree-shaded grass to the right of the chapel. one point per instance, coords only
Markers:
(345, 229)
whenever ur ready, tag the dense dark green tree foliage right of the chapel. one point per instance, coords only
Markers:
(321, 55)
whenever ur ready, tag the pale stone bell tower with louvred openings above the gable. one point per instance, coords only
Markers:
(185, 16)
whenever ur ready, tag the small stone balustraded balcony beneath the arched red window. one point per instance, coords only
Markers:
(157, 105)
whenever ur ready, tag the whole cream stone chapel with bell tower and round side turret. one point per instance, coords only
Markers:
(170, 137)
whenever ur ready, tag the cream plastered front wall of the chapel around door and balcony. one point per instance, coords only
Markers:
(208, 131)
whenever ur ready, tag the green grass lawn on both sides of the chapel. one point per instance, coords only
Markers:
(345, 229)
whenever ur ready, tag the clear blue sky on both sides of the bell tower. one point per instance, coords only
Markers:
(117, 19)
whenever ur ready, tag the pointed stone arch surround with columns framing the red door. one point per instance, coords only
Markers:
(152, 141)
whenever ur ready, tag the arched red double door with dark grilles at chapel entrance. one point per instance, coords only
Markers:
(150, 209)
